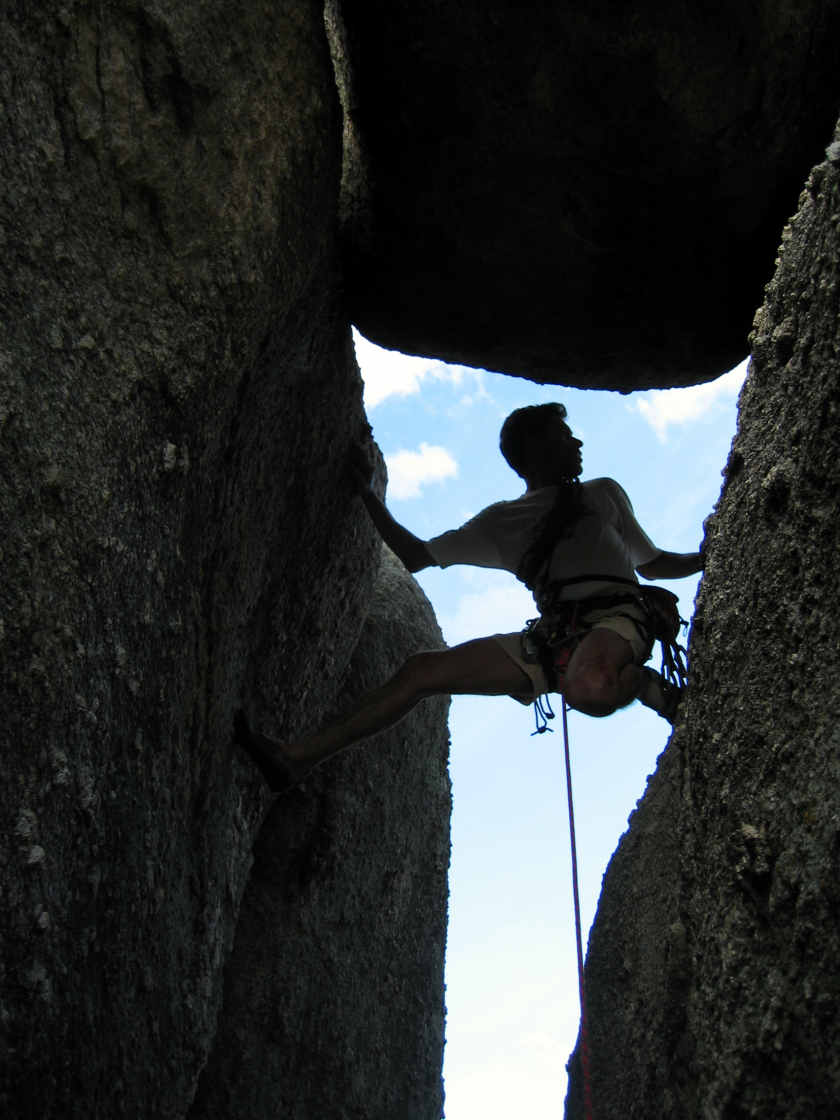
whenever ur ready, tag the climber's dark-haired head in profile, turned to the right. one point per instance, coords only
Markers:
(538, 444)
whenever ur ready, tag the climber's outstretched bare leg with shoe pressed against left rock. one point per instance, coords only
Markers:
(480, 668)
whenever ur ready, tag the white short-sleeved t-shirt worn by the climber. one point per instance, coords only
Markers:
(606, 542)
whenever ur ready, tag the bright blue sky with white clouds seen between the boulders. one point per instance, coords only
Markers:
(511, 962)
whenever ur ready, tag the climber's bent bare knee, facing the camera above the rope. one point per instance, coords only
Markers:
(602, 676)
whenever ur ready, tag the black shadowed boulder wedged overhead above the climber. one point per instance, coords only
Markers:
(578, 193)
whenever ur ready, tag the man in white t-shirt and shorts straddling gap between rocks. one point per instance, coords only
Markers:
(578, 547)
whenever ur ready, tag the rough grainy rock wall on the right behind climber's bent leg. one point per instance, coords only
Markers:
(730, 1001)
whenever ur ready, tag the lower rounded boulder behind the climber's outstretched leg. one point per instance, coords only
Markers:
(334, 993)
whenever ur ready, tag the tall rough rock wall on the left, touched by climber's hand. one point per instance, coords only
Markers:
(178, 395)
